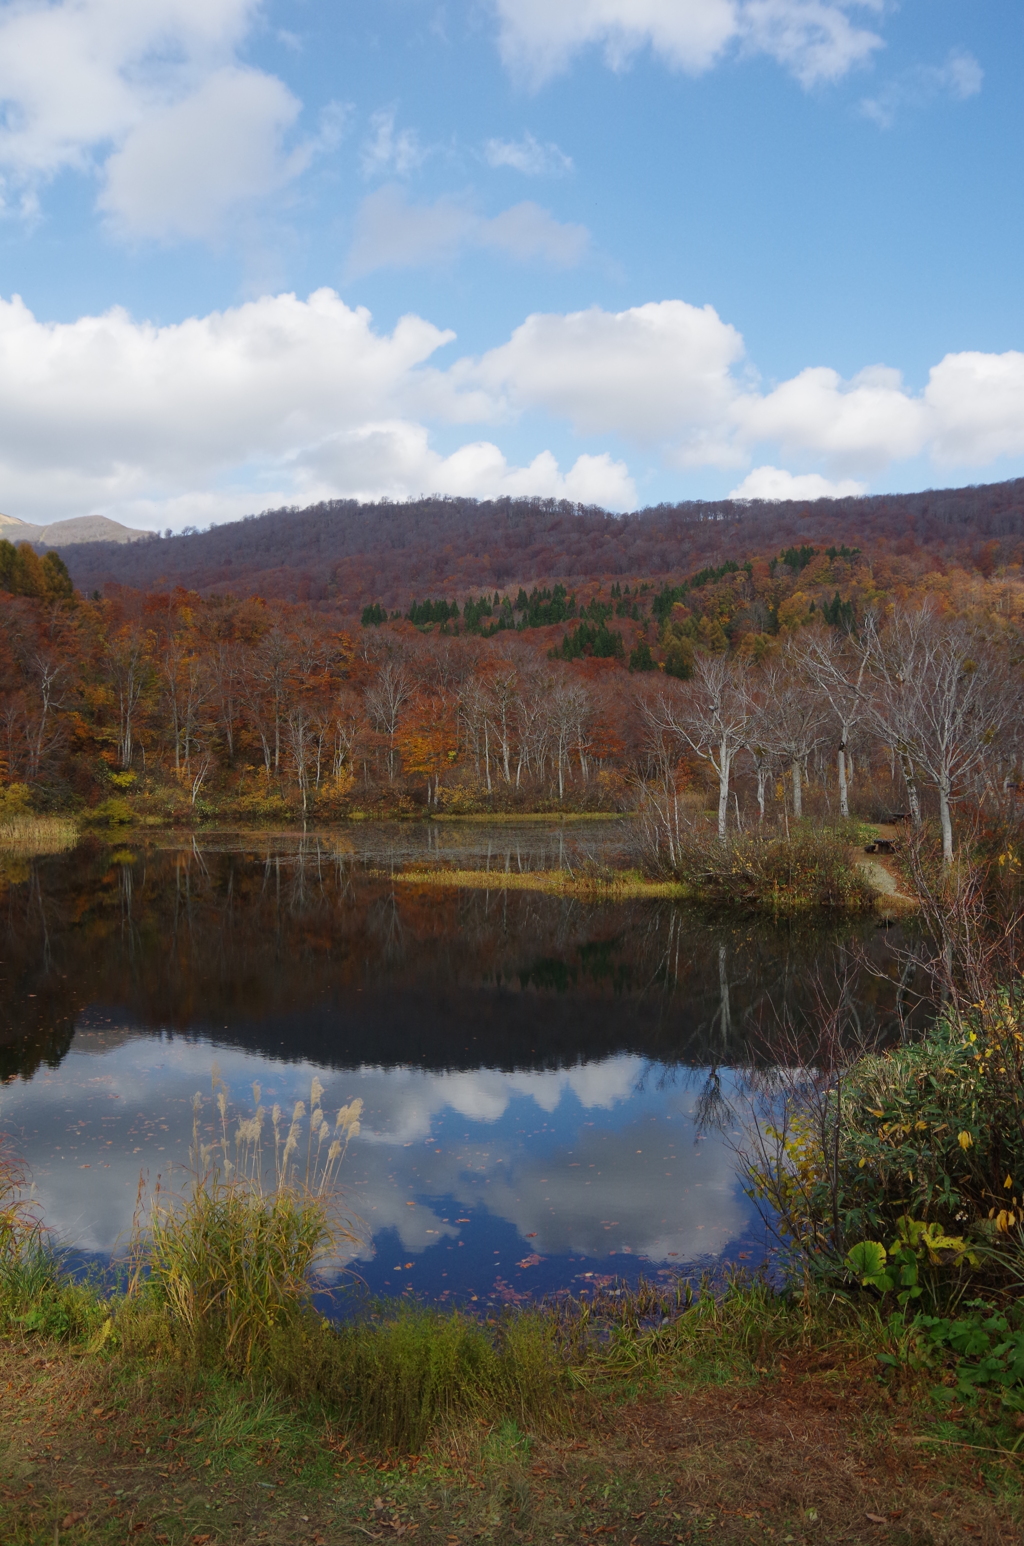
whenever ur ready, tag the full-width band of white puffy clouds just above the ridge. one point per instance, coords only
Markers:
(287, 401)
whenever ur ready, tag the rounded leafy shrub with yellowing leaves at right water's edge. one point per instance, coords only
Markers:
(906, 1173)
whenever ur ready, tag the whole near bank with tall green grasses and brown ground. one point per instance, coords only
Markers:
(655, 1417)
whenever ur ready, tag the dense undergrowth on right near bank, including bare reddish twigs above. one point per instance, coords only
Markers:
(896, 1179)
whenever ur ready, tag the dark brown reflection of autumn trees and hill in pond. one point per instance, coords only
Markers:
(196, 938)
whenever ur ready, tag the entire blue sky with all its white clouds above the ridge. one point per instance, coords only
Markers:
(616, 251)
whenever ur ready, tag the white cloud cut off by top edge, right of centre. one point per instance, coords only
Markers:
(814, 39)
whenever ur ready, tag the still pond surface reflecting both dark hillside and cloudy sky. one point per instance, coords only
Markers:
(534, 1071)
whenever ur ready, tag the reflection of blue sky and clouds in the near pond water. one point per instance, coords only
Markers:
(595, 1160)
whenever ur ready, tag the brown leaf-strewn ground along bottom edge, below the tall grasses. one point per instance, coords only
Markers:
(95, 1452)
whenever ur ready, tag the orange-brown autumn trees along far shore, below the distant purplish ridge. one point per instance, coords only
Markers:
(813, 683)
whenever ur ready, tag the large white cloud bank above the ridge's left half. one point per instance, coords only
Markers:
(270, 403)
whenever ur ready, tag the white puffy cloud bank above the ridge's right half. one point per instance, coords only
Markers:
(674, 378)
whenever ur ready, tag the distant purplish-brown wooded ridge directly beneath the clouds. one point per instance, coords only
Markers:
(344, 554)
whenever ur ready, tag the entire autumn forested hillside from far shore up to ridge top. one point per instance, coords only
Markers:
(757, 661)
